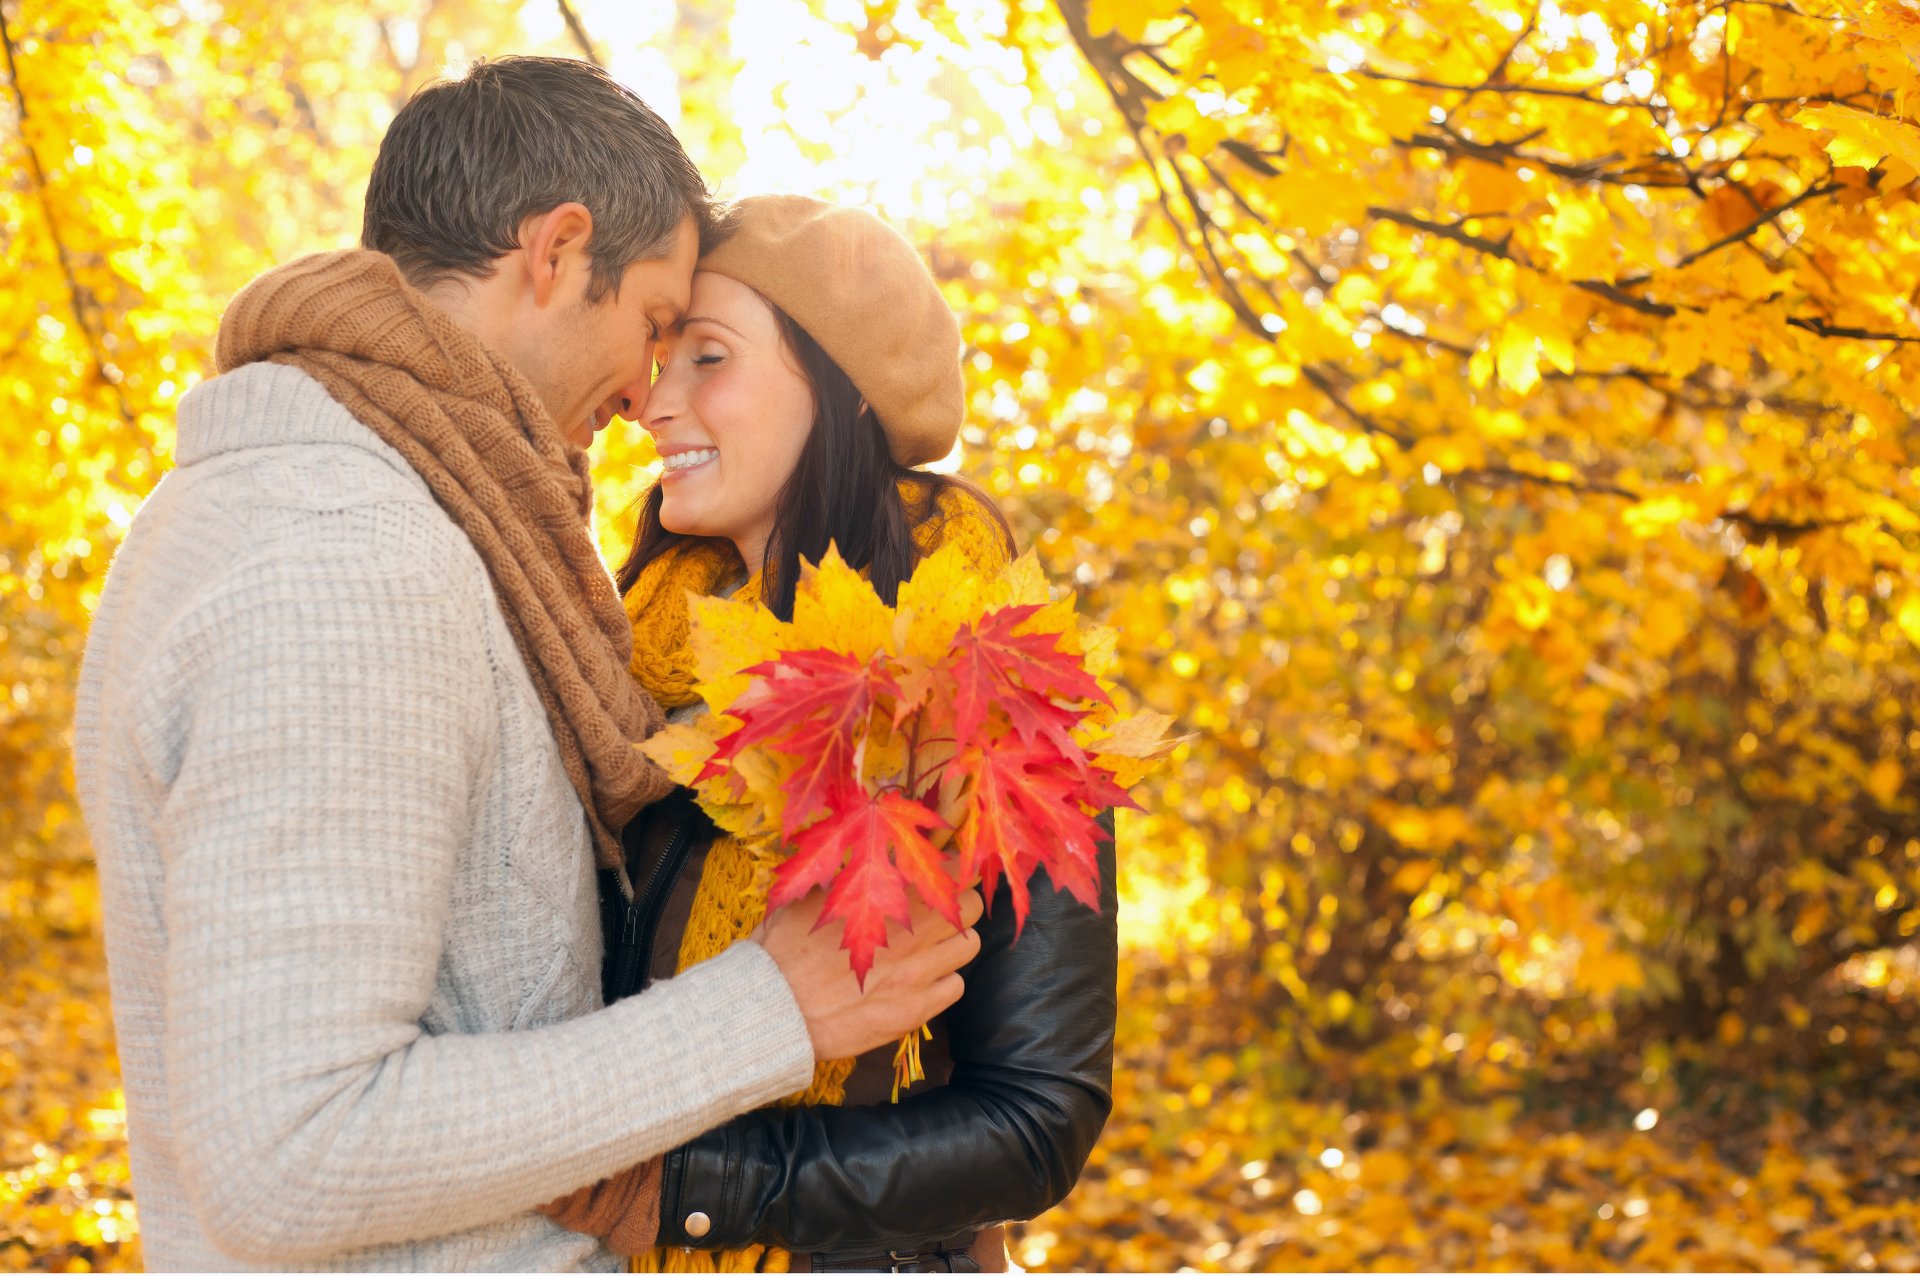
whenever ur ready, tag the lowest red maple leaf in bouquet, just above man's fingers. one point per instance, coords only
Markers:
(867, 853)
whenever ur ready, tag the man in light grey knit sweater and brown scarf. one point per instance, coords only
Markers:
(356, 728)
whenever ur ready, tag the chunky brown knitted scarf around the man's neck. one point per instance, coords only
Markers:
(487, 448)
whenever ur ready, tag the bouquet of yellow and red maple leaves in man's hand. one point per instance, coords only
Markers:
(963, 736)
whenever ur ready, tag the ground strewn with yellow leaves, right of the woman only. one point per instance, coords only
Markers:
(1800, 1154)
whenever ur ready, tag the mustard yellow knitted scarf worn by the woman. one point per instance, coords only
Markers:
(734, 884)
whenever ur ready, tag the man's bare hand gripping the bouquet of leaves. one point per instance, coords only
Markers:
(915, 978)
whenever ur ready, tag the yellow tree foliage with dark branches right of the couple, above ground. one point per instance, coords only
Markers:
(1514, 479)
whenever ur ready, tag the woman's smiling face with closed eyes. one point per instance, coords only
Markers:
(729, 414)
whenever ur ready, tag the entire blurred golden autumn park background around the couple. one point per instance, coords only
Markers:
(1491, 427)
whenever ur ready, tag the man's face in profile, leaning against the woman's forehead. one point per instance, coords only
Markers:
(602, 352)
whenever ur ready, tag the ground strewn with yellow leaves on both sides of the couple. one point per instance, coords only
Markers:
(1804, 1160)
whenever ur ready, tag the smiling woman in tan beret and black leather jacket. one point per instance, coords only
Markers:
(817, 364)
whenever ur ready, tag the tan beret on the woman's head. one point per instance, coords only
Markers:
(859, 289)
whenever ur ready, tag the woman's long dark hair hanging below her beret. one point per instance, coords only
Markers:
(846, 490)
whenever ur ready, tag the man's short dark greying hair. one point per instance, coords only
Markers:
(469, 160)
